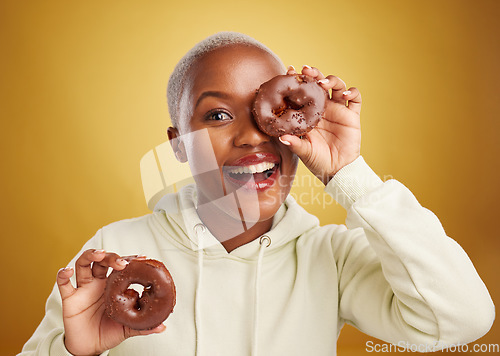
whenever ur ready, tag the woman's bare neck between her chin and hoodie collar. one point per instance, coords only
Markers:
(232, 233)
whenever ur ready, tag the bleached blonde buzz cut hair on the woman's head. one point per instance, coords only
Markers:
(213, 42)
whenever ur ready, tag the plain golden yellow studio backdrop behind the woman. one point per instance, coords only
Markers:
(82, 91)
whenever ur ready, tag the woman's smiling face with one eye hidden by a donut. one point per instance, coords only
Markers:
(226, 151)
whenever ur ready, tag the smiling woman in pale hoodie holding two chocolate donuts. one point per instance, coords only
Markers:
(254, 272)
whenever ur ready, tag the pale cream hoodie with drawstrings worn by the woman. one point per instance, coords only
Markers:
(391, 272)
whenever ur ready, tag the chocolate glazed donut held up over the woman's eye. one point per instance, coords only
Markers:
(289, 104)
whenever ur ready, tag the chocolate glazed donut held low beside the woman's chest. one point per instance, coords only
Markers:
(126, 307)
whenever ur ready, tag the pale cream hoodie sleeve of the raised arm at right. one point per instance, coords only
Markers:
(401, 279)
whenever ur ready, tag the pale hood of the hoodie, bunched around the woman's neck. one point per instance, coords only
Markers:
(290, 222)
